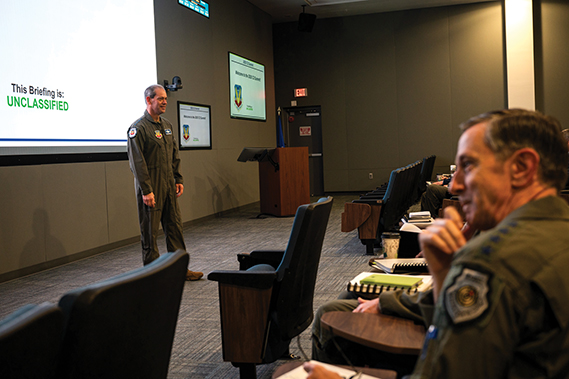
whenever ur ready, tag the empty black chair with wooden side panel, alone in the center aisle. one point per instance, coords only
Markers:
(269, 300)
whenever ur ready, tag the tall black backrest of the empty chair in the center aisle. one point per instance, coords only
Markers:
(296, 275)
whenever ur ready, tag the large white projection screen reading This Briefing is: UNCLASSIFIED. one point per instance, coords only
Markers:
(72, 80)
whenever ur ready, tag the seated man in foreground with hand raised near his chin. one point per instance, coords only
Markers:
(498, 307)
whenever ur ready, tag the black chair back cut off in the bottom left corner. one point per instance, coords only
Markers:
(30, 341)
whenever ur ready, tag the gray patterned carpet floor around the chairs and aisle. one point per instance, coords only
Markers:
(213, 245)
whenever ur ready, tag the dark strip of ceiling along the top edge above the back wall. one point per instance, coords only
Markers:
(288, 10)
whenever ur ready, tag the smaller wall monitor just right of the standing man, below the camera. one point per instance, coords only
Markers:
(194, 125)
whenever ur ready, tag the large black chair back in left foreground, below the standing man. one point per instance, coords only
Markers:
(123, 327)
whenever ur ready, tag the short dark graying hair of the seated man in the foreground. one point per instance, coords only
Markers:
(512, 129)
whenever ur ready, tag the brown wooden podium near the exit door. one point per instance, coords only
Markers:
(284, 189)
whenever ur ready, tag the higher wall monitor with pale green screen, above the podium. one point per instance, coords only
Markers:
(247, 88)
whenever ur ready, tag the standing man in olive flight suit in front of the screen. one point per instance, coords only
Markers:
(155, 163)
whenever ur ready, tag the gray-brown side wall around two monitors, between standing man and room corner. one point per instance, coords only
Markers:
(212, 180)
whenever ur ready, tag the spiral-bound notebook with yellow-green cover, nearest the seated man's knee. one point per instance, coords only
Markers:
(372, 283)
